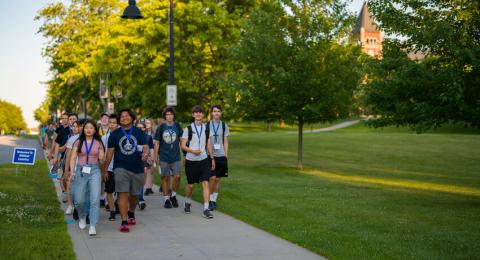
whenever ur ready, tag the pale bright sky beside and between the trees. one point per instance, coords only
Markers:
(22, 67)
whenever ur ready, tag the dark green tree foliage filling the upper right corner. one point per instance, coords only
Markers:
(443, 87)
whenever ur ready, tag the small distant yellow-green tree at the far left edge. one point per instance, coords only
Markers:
(11, 118)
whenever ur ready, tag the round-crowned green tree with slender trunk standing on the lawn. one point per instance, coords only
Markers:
(297, 63)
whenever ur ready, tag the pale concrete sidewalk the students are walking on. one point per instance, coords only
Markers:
(171, 234)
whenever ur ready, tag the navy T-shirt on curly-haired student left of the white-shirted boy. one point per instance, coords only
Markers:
(169, 150)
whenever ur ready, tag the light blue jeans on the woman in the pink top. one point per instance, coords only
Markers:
(86, 192)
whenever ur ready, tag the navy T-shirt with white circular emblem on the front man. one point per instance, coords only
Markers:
(127, 153)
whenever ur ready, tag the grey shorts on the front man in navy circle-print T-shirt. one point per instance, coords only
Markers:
(127, 181)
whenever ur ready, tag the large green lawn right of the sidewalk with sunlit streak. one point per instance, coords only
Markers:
(364, 193)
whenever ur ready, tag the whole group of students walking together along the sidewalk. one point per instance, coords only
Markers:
(118, 156)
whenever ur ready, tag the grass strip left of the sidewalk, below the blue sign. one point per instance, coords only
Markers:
(32, 224)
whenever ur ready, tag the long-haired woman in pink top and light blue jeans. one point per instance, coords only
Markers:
(90, 153)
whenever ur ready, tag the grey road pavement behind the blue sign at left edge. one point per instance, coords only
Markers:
(8, 142)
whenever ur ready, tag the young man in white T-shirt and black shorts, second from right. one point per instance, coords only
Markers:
(195, 142)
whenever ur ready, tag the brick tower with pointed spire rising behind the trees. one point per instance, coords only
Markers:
(369, 33)
